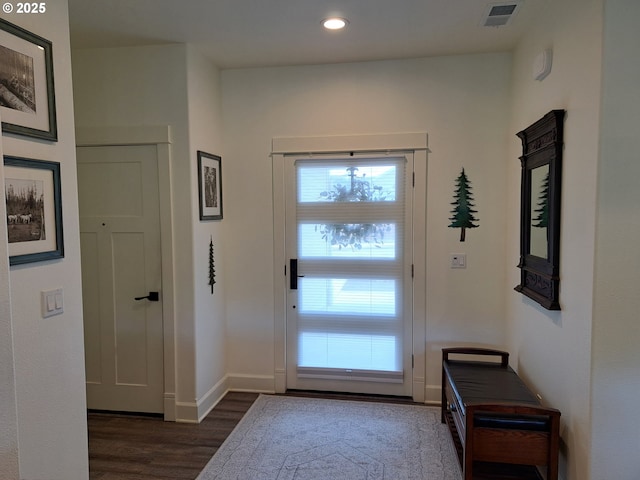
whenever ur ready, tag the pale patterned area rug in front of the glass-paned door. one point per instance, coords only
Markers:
(291, 438)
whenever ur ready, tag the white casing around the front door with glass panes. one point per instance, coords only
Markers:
(416, 143)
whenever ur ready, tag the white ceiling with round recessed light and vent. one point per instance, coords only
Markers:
(251, 33)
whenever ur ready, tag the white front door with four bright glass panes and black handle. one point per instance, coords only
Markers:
(348, 246)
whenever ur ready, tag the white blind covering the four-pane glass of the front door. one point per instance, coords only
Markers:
(350, 231)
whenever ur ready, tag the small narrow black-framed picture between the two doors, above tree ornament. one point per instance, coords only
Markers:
(210, 186)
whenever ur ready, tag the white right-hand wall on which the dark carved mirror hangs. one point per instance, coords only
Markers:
(553, 349)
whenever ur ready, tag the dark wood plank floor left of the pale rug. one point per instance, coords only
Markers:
(130, 447)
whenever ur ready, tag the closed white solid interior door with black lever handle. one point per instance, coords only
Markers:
(121, 267)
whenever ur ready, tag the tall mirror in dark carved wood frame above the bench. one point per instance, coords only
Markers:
(542, 145)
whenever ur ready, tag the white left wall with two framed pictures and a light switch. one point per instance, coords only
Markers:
(48, 353)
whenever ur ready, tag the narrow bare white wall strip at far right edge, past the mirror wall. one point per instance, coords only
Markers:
(616, 330)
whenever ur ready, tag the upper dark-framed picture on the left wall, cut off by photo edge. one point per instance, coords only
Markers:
(27, 99)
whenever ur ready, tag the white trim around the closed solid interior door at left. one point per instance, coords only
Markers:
(160, 136)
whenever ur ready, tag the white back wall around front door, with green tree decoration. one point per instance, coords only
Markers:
(462, 102)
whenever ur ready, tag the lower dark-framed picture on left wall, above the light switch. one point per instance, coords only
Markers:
(34, 210)
